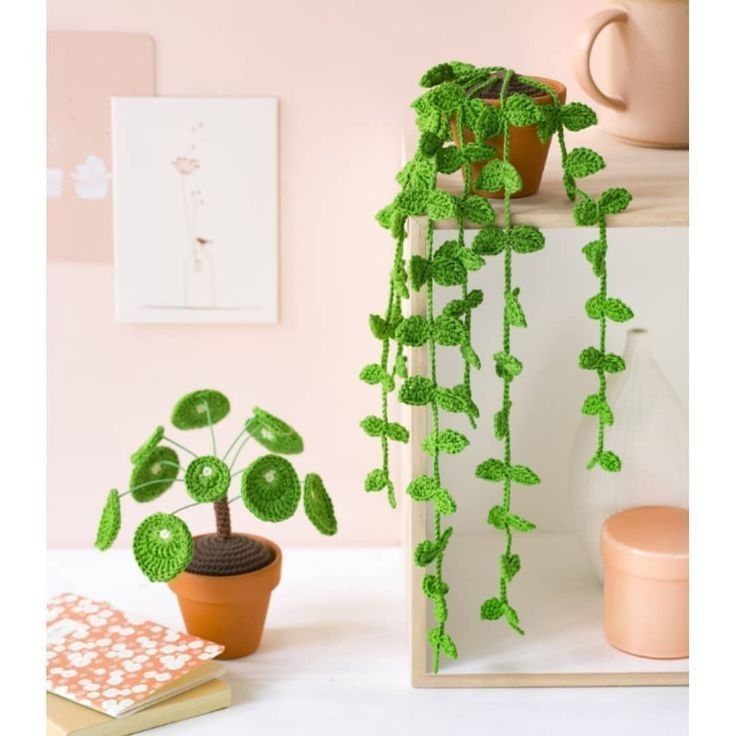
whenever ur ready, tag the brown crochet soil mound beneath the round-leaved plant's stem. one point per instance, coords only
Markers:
(236, 555)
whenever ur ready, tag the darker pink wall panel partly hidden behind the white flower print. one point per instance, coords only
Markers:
(85, 69)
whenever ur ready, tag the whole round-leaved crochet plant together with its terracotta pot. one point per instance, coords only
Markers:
(224, 579)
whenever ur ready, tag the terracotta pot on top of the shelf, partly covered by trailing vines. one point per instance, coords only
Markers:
(527, 153)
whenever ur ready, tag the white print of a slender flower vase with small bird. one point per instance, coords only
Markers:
(195, 206)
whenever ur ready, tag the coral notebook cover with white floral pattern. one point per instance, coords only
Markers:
(102, 658)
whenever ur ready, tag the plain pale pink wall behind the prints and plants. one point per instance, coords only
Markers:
(344, 71)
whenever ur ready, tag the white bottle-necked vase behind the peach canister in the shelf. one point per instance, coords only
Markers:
(650, 436)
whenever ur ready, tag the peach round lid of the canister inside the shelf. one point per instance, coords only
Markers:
(651, 541)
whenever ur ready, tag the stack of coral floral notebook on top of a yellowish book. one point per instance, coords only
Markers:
(108, 674)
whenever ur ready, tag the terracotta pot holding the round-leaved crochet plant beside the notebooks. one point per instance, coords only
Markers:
(229, 609)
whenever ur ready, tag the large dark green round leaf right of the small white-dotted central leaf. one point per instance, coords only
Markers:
(270, 488)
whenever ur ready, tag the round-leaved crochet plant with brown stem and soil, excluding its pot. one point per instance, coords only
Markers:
(269, 488)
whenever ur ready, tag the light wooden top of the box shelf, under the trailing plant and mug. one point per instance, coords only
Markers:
(658, 180)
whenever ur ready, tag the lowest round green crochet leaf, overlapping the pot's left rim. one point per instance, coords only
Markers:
(162, 546)
